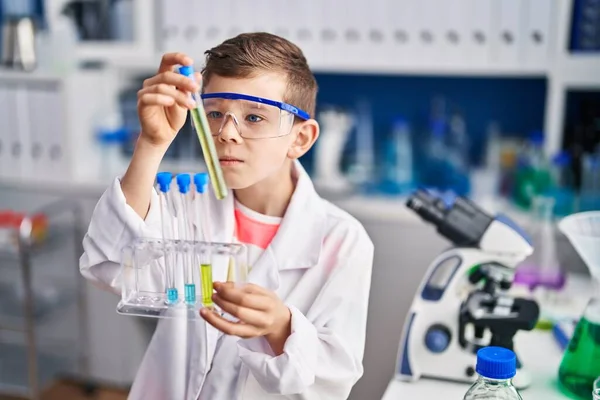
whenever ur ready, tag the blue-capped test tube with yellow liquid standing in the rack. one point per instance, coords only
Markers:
(203, 223)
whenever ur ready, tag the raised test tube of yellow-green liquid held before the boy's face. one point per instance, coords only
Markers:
(207, 144)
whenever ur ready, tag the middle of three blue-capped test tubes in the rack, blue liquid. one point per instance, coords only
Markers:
(185, 233)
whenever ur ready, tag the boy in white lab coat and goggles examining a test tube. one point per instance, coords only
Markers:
(303, 315)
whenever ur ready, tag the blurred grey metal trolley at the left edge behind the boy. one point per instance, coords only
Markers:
(42, 302)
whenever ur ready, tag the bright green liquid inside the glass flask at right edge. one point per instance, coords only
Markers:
(580, 365)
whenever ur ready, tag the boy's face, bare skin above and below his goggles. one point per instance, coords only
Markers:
(247, 161)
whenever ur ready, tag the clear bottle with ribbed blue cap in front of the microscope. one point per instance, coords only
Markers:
(496, 366)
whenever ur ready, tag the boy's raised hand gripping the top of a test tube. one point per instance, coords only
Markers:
(164, 100)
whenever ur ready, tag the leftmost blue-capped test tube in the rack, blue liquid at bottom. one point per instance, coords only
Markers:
(163, 180)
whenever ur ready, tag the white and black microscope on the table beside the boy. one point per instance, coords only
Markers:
(462, 304)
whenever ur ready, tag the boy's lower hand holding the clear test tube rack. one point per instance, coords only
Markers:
(259, 310)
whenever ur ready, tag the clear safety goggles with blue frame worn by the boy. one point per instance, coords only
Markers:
(254, 117)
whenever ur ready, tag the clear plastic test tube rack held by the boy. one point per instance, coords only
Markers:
(147, 262)
